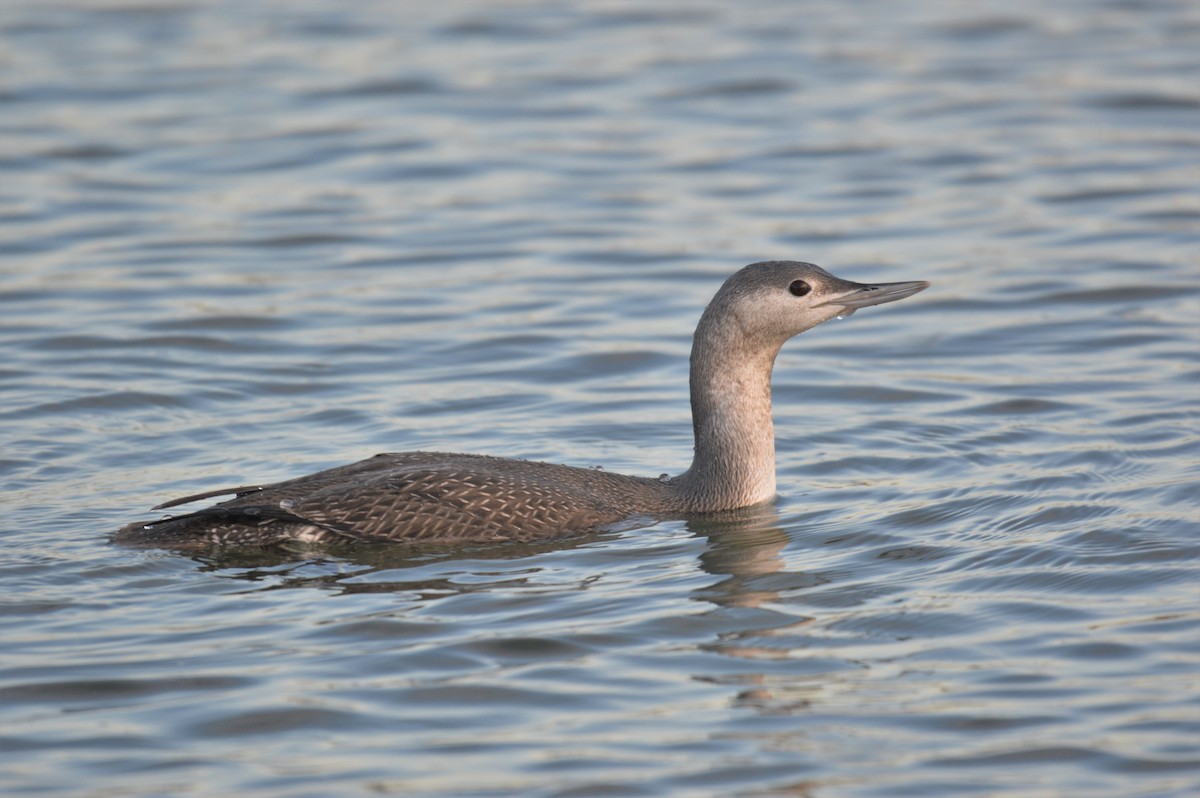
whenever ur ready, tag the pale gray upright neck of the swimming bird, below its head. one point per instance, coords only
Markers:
(735, 460)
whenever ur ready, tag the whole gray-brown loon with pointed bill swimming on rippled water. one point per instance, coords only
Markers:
(423, 497)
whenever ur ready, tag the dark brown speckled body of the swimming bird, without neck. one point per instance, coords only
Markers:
(416, 496)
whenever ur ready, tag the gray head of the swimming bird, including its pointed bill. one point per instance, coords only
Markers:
(775, 301)
